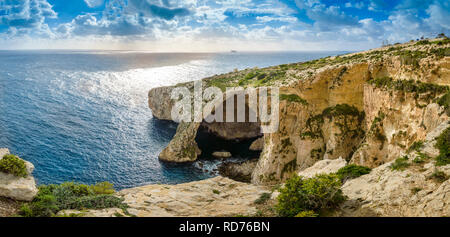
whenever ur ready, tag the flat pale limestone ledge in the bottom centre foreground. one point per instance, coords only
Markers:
(216, 197)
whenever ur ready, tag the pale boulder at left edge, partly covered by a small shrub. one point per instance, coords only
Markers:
(17, 188)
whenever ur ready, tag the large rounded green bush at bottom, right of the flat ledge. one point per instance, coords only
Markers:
(315, 194)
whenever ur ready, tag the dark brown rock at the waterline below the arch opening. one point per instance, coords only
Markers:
(241, 171)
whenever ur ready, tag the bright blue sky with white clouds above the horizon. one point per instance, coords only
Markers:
(218, 25)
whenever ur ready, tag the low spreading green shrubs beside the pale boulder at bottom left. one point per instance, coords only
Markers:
(53, 198)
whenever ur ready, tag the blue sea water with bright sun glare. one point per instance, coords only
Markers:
(83, 115)
